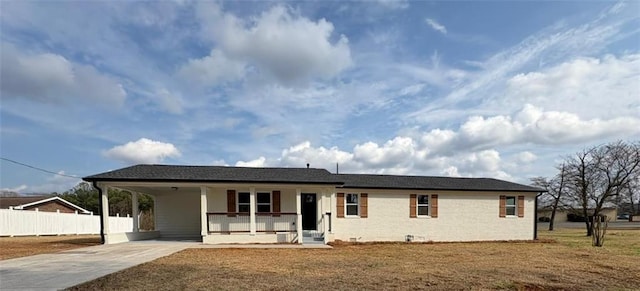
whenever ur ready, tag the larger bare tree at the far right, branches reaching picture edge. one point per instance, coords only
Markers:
(598, 175)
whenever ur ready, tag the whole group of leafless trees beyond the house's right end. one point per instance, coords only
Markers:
(592, 179)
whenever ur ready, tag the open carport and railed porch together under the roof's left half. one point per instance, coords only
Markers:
(232, 213)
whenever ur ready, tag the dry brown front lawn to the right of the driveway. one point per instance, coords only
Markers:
(568, 264)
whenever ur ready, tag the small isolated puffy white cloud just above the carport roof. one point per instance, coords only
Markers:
(143, 151)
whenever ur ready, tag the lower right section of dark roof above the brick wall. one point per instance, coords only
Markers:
(430, 183)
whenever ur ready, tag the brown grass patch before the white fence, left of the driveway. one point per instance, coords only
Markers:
(15, 247)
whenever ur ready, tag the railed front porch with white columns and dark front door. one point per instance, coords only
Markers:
(266, 214)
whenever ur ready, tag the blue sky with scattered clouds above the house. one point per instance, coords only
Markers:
(500, 89)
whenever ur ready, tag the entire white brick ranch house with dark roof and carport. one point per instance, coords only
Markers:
(303, 205)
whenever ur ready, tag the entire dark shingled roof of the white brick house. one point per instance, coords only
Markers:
(169, 173)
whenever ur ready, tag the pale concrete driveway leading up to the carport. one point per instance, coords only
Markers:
(69, 268)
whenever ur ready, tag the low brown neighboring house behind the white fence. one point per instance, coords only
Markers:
(42, 203)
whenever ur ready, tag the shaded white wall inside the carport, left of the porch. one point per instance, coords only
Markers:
(178, 215)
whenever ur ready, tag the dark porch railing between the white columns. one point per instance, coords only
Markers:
(229, 222)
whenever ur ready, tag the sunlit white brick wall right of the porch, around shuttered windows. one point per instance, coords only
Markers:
(462, 216)
